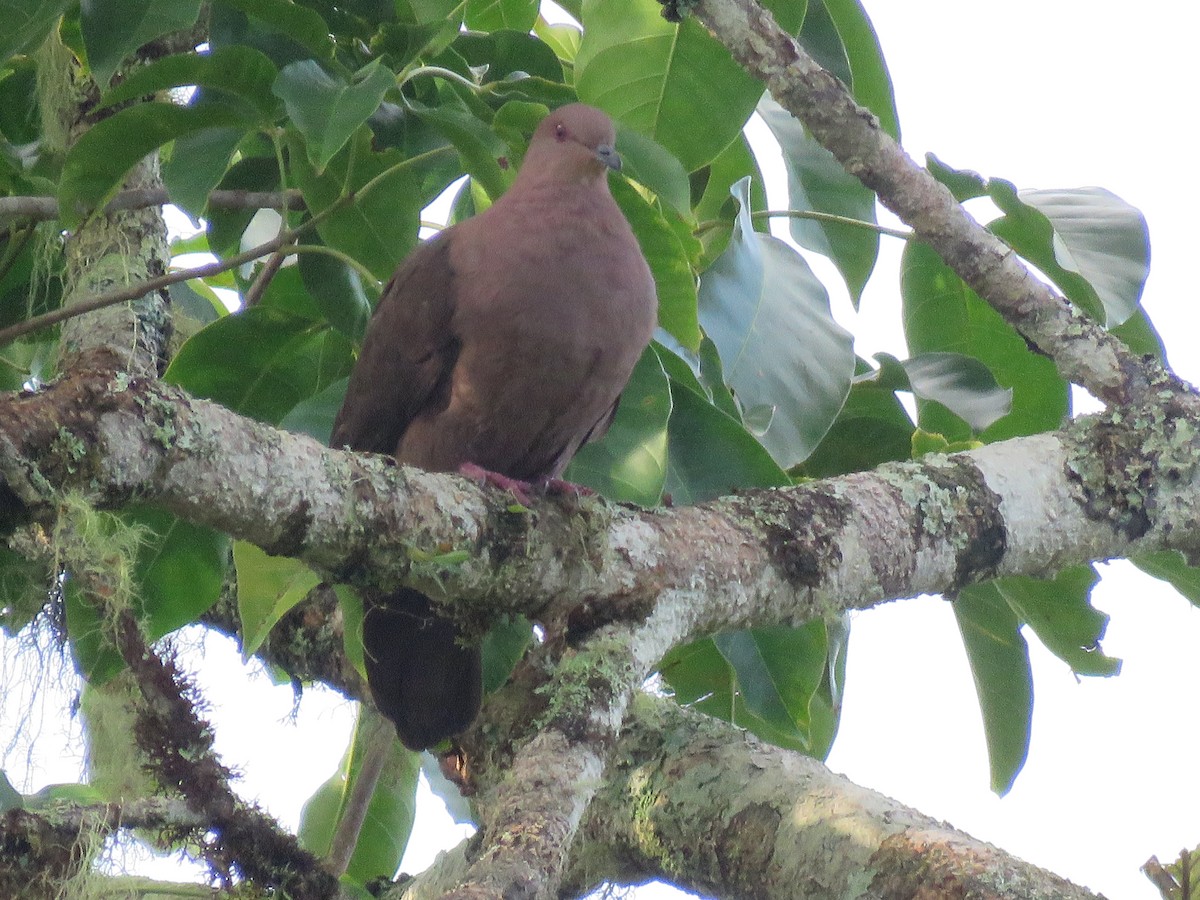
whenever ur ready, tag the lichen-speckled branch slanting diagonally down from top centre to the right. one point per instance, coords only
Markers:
(1084, 352)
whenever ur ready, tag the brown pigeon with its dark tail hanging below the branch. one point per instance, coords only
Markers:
(503, 343)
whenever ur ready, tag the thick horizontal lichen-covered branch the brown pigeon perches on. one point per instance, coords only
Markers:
(1109, 487)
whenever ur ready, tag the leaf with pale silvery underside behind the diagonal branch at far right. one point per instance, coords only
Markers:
(1094, 245)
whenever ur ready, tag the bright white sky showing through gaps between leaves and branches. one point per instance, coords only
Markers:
(1047, 94)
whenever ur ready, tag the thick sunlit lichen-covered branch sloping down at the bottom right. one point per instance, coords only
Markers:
(785, 821)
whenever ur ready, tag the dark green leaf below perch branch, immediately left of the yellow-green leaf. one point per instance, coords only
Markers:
(179, 571)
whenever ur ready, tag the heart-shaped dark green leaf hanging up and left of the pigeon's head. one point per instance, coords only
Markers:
(329, 111)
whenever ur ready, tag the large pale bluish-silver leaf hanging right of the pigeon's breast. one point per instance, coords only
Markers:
(784, 355)
